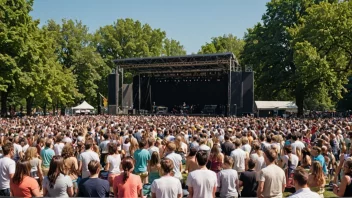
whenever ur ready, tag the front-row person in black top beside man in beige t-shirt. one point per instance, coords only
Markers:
(248, 180)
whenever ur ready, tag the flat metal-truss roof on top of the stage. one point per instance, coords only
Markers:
(176, 64)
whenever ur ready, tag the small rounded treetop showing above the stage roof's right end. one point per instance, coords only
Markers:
(225, 43)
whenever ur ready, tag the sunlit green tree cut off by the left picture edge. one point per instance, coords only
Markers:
(15, 22)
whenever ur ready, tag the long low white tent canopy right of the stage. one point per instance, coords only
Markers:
(279, 105)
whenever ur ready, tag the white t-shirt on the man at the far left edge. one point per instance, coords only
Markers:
(7, 167)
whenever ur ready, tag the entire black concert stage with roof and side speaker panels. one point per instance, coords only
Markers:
(192, 81)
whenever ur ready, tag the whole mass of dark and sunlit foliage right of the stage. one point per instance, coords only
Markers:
(285, 52)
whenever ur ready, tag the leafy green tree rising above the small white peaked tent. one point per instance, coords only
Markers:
(77, 53)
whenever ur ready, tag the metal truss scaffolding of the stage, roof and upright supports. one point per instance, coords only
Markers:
(222, 62)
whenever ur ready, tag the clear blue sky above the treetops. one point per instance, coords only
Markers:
(192, 22)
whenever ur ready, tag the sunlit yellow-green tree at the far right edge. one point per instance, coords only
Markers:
(323, 51)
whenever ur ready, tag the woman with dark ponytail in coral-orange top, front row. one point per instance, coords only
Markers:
(128, 184)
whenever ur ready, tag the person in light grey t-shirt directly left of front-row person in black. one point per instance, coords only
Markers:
(228, 179)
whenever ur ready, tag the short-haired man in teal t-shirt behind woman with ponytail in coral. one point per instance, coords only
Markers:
(142, 157)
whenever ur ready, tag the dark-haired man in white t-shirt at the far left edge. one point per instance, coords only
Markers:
(7, 169)
